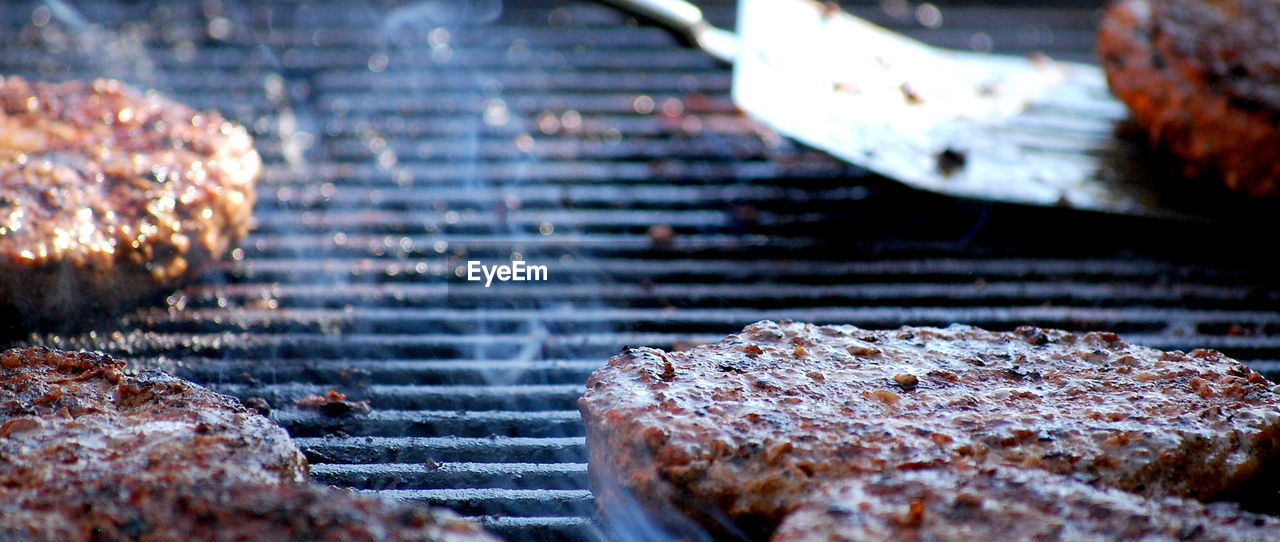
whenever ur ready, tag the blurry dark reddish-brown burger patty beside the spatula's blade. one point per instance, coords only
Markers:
(1201, 78)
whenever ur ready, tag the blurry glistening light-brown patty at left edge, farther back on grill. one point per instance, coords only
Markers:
(109, 195)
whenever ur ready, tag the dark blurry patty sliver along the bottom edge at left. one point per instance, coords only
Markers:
(161, 513)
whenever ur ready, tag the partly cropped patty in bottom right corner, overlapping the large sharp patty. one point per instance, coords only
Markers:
(941, 505)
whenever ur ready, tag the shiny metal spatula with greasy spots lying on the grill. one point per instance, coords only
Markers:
(993, 127)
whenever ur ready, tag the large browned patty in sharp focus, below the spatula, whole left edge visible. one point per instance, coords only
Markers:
(735, 435)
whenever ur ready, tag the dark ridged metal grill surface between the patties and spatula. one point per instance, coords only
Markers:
(405, 139)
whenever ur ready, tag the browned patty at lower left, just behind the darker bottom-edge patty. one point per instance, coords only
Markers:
(70, 420)
